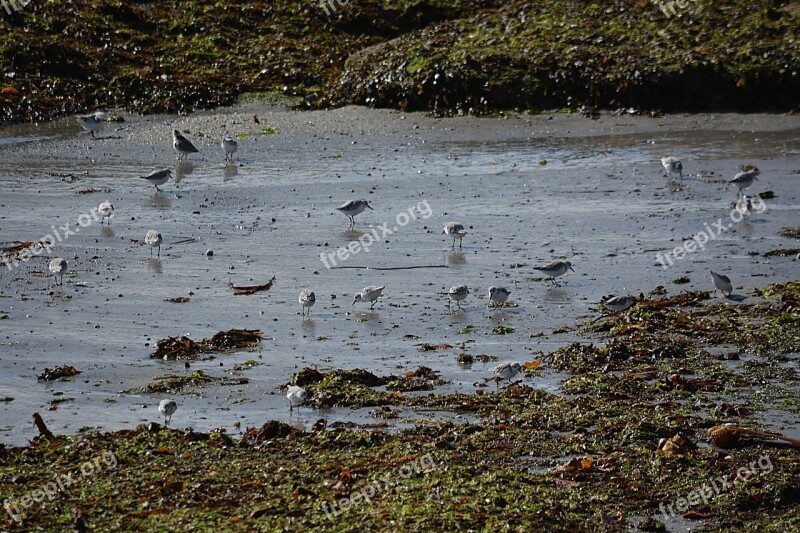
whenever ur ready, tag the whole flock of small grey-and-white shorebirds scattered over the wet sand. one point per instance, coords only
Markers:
(498, 296)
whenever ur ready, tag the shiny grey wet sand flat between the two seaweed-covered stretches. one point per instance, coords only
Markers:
(530, 189)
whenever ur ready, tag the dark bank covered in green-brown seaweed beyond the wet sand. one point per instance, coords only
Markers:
(445, 57)
